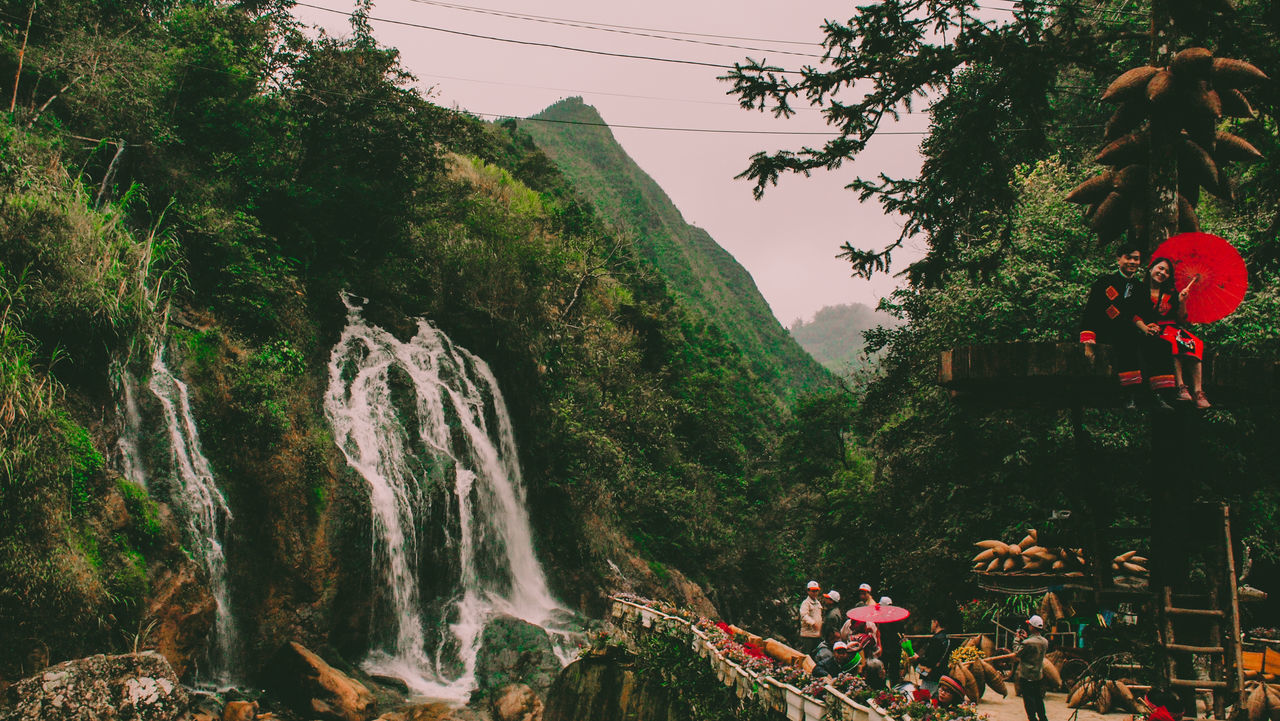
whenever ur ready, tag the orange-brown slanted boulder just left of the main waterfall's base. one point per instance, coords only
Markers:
(316, 690)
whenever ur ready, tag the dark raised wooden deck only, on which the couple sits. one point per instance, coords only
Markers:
(1084, 376)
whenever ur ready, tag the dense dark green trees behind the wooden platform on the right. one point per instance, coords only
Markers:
(1008, 259)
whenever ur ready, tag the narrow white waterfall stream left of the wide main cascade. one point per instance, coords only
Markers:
(204, 509)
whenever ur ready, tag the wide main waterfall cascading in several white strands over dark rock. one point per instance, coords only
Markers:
(455, 431)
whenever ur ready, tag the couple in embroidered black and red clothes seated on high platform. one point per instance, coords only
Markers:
(1145, 322)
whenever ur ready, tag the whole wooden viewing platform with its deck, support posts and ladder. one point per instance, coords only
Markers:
(1078, 376)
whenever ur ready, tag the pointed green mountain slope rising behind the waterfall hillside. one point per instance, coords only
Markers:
(701, 272)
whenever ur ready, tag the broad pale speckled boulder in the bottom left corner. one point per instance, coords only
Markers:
(134, 687)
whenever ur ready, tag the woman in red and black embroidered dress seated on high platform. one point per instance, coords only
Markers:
(1160, 313)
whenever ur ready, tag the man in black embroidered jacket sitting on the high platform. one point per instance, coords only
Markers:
(1107, 322)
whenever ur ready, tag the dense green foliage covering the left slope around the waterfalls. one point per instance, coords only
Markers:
(207, 177)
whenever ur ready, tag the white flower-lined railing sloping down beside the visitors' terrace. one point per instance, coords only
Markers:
(637, 620)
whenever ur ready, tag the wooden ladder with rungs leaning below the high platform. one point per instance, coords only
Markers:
(1222, 619)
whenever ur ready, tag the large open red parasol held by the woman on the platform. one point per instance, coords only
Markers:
(1213, 268)
